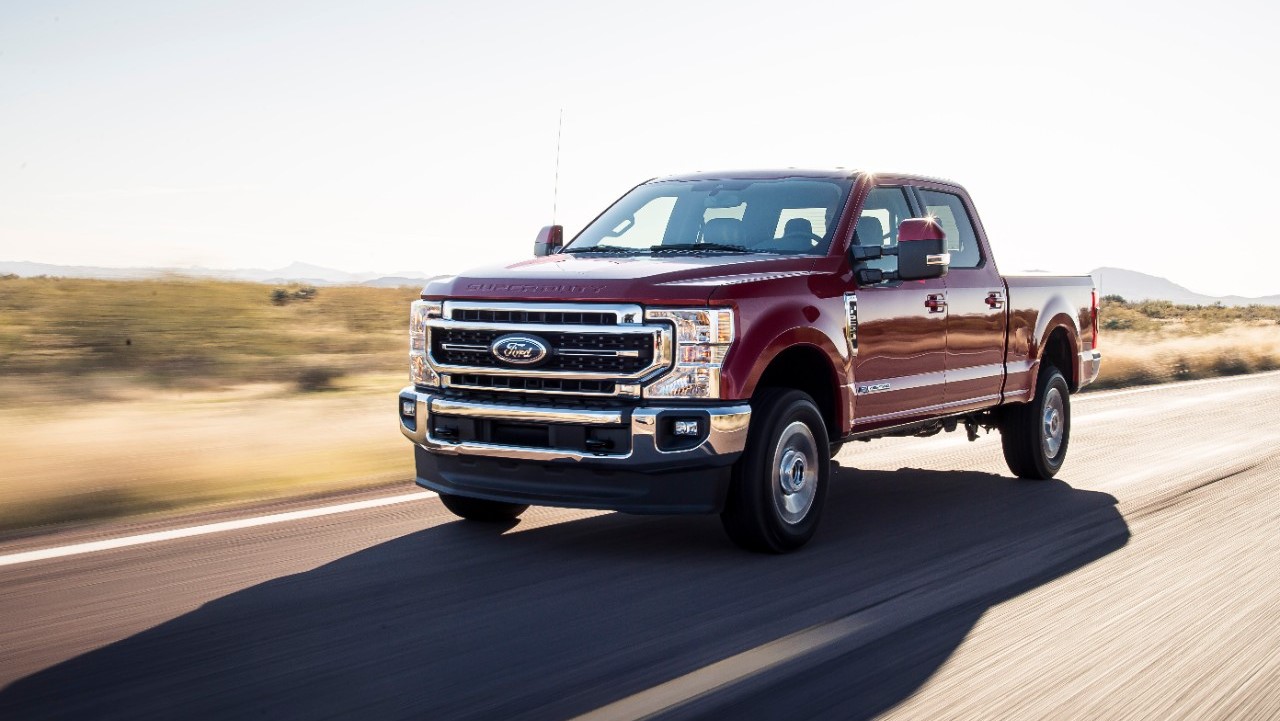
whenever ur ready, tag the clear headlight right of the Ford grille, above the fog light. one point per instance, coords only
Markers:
(703, 339)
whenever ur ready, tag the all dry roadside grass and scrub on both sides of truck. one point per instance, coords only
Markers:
(145, 398)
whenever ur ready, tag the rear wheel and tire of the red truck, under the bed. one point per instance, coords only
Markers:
(1036, 435)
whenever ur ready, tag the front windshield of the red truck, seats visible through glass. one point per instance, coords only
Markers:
(793, 216)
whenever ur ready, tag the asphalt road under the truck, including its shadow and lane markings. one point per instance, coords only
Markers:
(1144, 583)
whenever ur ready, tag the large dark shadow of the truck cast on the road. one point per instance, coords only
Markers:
(460, 620)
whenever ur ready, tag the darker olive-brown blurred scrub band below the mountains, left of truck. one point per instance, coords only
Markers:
(195, 332)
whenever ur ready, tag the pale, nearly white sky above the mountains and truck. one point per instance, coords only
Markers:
(422, 136)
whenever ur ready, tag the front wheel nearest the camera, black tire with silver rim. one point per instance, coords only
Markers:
(780, 483)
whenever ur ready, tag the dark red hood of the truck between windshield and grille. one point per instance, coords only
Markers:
(646, 279)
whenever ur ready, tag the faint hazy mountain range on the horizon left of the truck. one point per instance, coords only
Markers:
(292, 273)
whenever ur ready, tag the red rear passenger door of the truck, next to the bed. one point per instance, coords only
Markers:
(977, 303)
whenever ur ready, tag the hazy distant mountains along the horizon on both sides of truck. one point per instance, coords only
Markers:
(1131, 285)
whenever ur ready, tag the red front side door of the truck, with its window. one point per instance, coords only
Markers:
(900, 326)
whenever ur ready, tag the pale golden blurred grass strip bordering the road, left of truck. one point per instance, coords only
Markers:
(162, 450)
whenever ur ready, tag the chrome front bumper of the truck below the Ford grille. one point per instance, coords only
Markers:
(725, 440)
